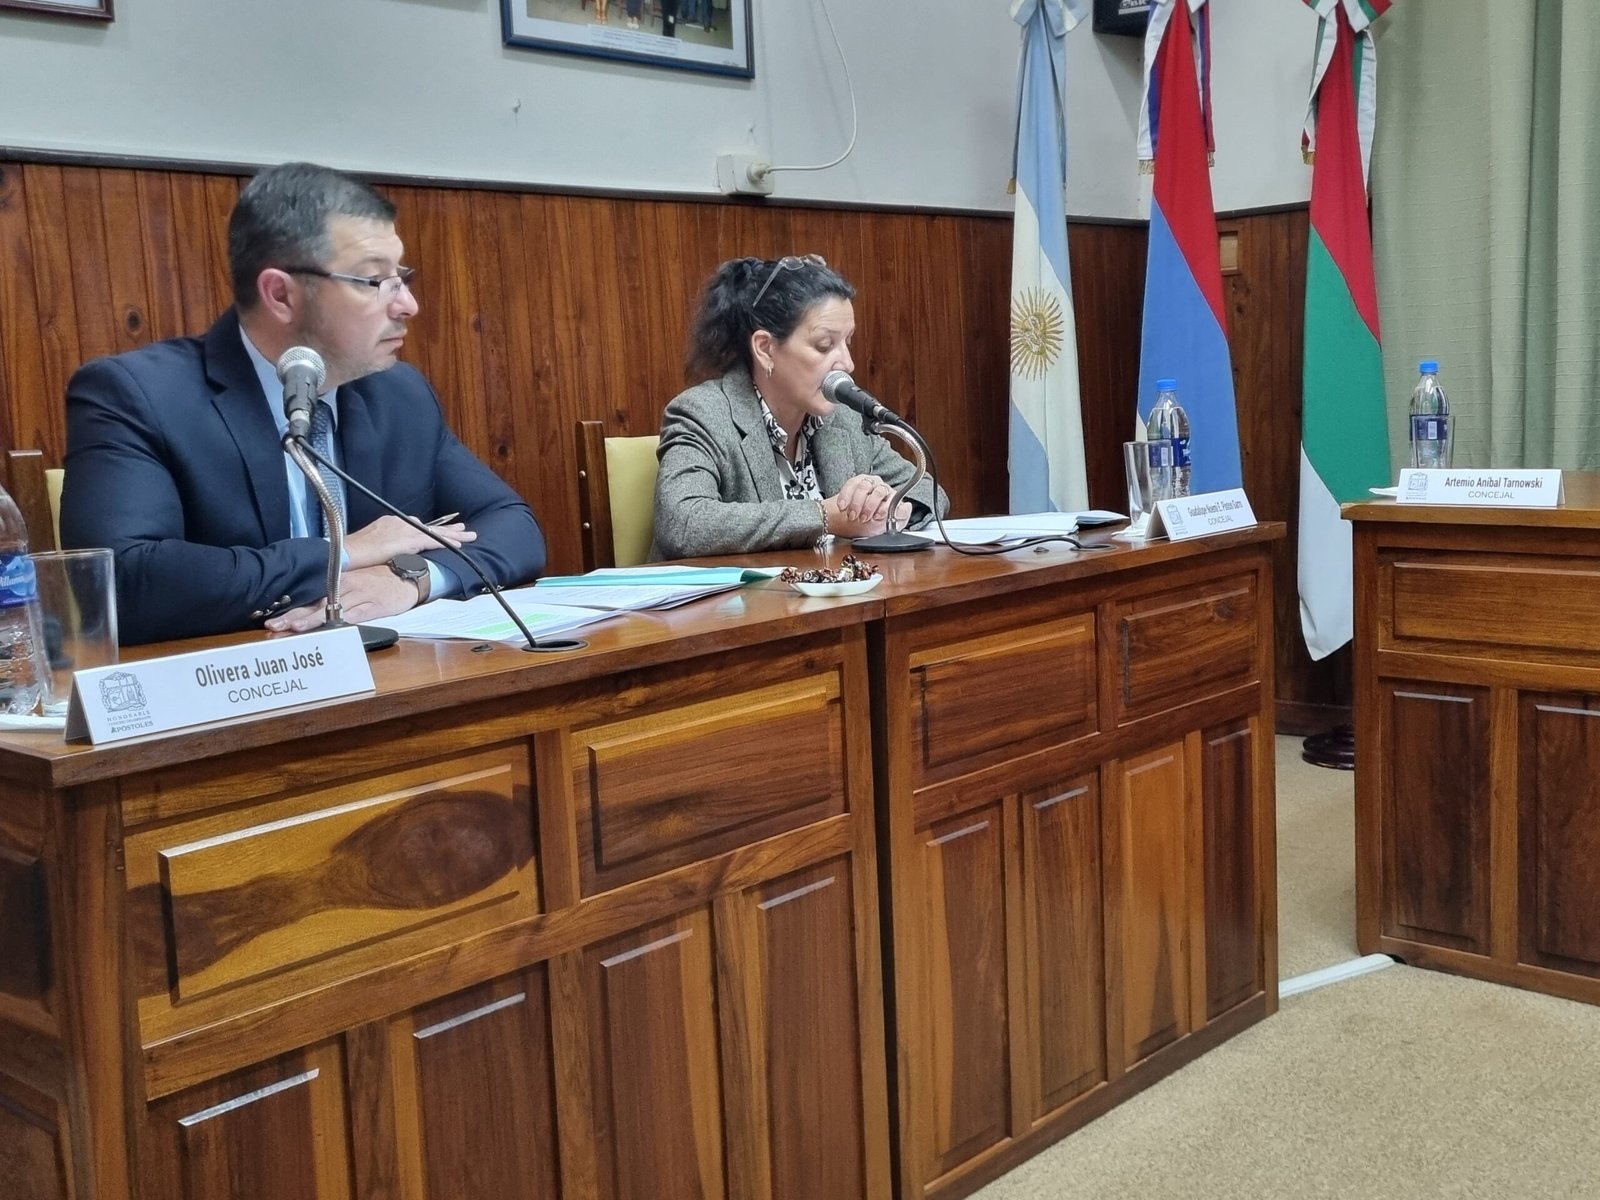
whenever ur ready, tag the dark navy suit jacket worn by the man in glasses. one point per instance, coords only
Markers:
(174, 462)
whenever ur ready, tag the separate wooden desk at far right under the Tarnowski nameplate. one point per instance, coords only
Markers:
(1478, 692)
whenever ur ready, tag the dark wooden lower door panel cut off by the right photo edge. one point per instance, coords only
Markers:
(1559, 834)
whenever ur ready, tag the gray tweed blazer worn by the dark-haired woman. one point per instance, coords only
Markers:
(719, 490)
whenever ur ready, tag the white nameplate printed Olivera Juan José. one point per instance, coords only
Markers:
(156, 695)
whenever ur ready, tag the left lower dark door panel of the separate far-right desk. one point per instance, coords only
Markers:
(1436, 815)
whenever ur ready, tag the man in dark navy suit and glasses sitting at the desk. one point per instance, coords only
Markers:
(175, 454)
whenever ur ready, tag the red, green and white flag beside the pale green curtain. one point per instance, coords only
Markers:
(1345, 446)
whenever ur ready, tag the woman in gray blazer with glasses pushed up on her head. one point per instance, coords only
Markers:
(756, 458)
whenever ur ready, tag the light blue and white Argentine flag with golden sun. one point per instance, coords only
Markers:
(1047, 420)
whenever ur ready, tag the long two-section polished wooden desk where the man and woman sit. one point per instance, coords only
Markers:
(607, 924)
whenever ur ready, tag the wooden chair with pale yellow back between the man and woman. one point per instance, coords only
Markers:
(617, 497)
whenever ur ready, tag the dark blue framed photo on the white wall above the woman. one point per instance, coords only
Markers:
(708, 36)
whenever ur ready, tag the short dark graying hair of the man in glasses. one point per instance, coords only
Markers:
(282, 222)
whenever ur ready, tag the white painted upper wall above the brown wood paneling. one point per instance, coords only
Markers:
(425, 87)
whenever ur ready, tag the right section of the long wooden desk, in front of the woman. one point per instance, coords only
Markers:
(1078, 815)
